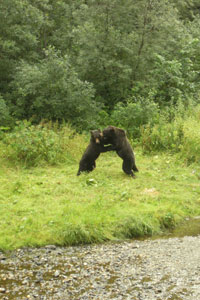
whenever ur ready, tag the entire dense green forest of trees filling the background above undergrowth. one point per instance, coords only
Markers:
(88, 62)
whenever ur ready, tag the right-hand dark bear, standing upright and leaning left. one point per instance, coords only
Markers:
(117, 137)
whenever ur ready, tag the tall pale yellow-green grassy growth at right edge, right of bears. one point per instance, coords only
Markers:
(181, 135)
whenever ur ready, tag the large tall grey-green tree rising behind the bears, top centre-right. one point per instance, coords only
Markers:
(115, 43)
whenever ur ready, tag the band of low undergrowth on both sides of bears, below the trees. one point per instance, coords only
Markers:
(174, 130)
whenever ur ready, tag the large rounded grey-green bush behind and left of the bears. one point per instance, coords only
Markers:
(52, 90)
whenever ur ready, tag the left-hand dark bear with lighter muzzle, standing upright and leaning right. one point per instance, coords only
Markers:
(92, 152)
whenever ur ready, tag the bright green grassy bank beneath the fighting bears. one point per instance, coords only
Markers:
(51, 205)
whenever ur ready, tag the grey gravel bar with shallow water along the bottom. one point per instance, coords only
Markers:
(161, 269)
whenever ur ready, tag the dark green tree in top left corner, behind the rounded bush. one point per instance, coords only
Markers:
(20, 24)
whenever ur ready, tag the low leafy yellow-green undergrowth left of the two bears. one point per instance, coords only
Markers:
(32, 145)
